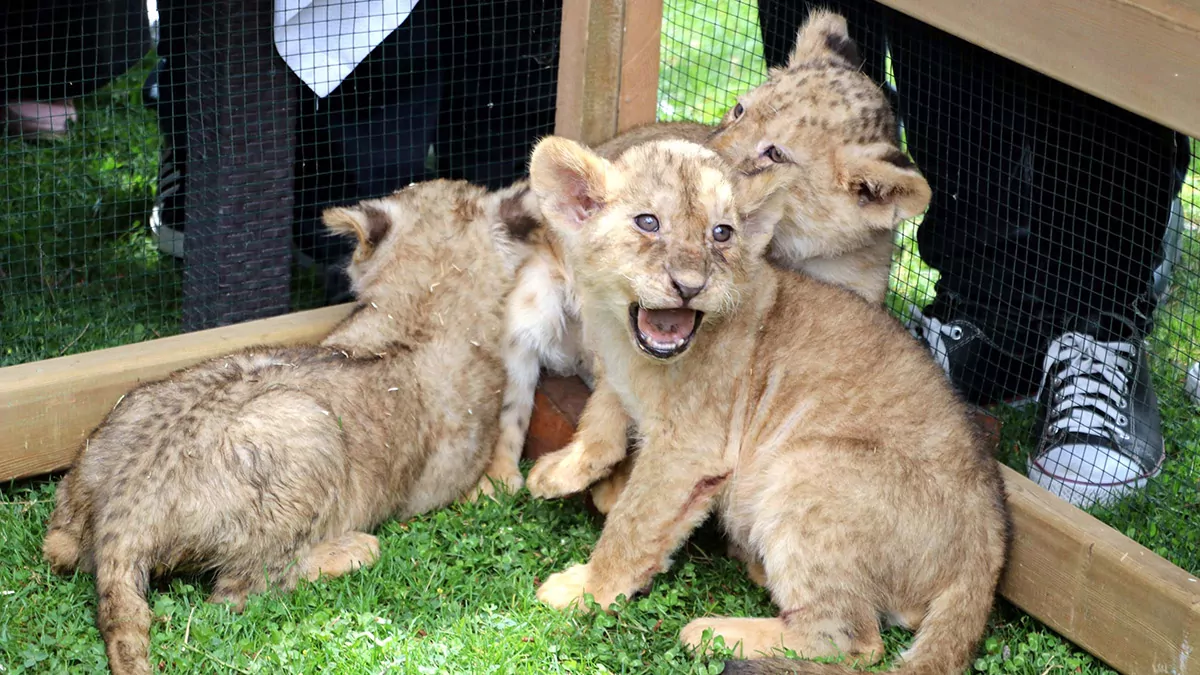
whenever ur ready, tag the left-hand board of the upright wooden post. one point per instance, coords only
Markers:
(590, 70)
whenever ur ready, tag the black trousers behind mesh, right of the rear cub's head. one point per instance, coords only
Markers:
(1049, 205)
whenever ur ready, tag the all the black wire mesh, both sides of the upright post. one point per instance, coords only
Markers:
(164, 170)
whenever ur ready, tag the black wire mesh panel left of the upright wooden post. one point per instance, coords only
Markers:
(164, 170)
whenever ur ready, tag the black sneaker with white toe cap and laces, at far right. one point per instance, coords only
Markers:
(1102, 437)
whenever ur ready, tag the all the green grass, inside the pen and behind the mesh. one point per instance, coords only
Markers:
(454, 592)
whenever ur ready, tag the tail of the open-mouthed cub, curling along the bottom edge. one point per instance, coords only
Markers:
(945, 644)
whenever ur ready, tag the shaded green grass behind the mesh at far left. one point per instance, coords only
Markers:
(79, 268)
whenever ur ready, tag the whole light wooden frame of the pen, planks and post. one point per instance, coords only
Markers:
(1112, 596)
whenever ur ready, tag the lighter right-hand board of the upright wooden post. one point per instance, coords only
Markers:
(640, 64)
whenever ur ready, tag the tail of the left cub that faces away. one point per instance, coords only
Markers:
(123, 614)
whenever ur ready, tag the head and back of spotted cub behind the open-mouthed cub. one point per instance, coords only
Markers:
(826, 129)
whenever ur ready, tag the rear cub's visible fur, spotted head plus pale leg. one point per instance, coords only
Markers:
(850, 187)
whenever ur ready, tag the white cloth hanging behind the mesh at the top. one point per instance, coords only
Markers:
(322, 41)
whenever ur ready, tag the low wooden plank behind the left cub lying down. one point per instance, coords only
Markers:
(49, 408)
